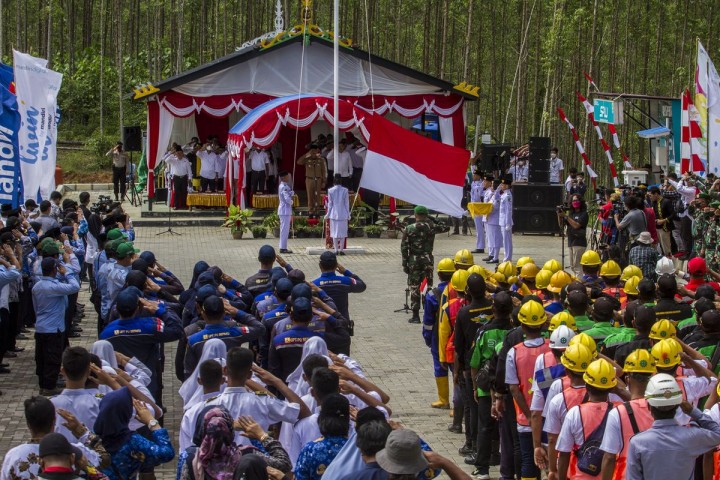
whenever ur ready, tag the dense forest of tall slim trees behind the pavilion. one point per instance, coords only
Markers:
(527, 56)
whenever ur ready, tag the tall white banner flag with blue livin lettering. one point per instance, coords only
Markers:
(37, 88)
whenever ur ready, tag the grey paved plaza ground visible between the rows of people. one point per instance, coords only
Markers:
(392, 351)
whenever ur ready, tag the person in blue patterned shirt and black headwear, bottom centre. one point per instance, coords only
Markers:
(334, 425)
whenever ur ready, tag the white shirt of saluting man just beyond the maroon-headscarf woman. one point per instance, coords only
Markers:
(264, 409)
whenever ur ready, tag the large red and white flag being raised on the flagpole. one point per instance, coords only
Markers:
(418, 170)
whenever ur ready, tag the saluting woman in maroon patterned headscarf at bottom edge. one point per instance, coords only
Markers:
(217, 455)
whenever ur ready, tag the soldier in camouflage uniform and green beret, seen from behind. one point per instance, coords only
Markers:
(416, 247)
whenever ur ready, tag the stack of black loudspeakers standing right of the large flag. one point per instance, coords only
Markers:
(534, 203)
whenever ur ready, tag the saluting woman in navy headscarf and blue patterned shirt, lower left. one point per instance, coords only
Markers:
(130, 451)
